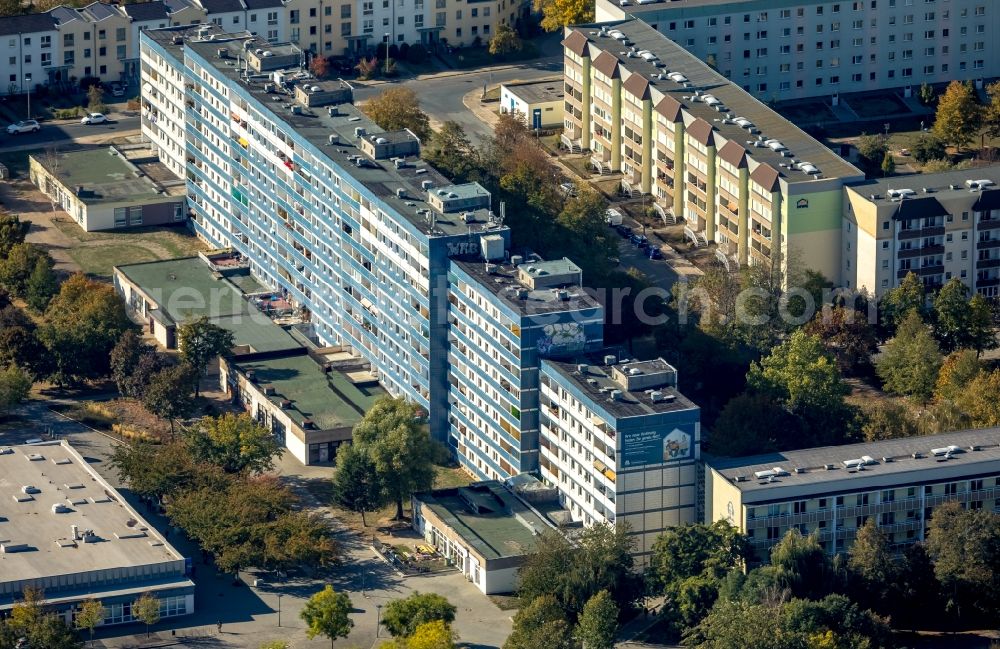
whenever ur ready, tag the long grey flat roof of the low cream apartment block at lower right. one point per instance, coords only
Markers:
(887, 460)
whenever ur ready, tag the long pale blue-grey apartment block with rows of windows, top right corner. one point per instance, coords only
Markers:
(823, 48)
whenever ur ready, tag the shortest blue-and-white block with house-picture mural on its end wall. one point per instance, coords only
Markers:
(621, 444)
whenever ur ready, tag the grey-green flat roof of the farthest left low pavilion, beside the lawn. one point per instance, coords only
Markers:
(107, 177)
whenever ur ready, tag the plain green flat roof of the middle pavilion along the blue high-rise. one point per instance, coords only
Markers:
(185, 289)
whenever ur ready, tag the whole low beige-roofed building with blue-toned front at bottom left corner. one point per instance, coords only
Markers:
(65, 530)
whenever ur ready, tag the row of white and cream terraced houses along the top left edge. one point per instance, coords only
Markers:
(66, 44)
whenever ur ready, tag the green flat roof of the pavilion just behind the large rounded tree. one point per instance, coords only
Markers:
(329, 399)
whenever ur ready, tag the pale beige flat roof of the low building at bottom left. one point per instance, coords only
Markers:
(47, 488)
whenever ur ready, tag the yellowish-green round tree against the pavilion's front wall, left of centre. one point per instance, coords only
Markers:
(235, 443)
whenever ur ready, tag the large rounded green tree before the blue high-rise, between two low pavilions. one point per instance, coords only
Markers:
(397, 441)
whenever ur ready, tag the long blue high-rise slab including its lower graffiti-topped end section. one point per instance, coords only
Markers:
(384, 256)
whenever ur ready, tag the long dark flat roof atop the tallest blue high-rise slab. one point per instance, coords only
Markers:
(402, 186)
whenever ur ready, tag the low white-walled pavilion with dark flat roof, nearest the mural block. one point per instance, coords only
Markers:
(484, 529)
